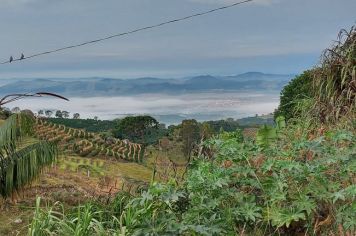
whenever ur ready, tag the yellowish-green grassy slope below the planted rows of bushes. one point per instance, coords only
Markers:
(68, 181)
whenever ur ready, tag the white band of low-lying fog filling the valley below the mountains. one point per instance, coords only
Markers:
(168, 109)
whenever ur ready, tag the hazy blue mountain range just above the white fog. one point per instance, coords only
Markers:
(84, 87)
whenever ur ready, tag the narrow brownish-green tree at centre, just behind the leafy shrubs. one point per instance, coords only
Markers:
(190, 134)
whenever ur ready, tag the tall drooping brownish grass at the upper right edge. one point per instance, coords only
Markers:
(335, 80)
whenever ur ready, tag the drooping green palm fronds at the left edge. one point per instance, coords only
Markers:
(20, 163)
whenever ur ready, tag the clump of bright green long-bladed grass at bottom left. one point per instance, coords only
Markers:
(92, 218)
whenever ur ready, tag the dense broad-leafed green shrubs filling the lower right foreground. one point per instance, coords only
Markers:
(284, 189)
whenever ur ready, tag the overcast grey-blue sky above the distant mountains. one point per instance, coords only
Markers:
(272, 36)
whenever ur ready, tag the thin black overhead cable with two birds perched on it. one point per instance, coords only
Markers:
(124, 33)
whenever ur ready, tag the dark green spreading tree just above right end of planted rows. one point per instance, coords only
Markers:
(135, 128)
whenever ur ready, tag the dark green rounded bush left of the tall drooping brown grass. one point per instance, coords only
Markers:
(297, 89)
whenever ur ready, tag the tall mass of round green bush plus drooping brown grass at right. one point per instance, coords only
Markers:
(327, 93)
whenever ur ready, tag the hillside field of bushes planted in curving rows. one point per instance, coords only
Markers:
(88, 144)
